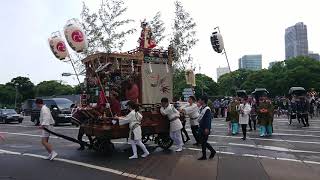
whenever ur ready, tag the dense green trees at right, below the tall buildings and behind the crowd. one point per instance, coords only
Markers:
(299, 71)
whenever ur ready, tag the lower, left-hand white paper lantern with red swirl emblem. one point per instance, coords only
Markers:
(58, 46)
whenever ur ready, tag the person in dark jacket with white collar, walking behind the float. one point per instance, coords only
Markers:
(205, 118)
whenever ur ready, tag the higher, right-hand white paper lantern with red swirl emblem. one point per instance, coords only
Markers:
(75, 35)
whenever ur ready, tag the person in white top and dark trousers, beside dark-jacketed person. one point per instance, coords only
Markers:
(191, 112)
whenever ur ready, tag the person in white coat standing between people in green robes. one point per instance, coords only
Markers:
(245, 109)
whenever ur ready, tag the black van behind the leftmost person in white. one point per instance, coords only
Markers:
(60, 110)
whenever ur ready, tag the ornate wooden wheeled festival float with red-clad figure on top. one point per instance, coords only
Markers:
(143, 75)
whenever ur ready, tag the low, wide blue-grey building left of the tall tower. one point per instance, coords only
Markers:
(251, 62)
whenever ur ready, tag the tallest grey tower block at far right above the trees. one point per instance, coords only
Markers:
(296, 40)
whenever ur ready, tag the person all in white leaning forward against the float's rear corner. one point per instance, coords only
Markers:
(175, 123)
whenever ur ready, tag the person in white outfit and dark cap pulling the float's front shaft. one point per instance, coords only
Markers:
(46, 122)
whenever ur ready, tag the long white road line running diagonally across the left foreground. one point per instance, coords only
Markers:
(114, 171)
